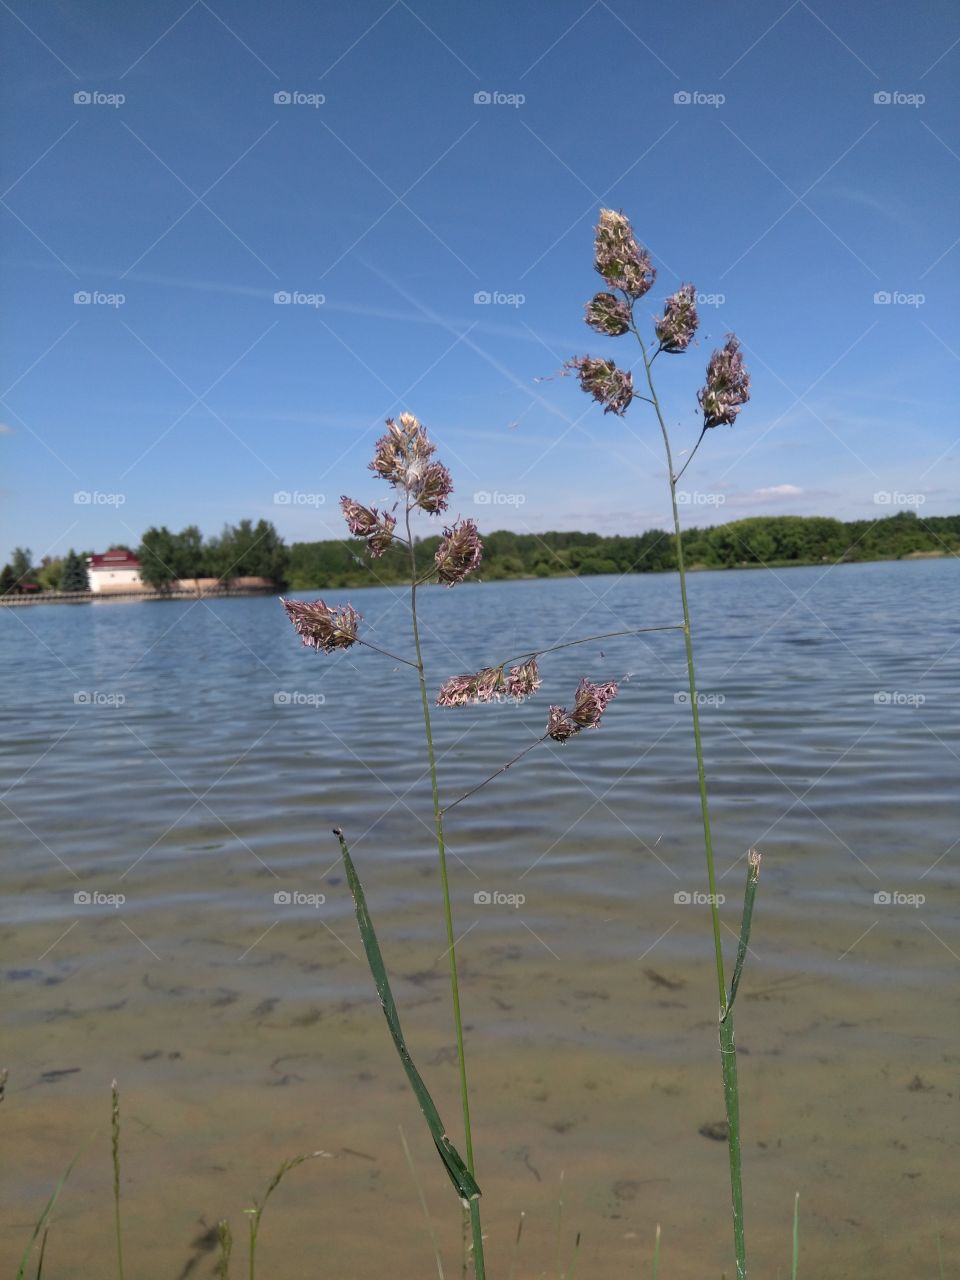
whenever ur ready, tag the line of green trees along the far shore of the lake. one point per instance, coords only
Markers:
(258, 551)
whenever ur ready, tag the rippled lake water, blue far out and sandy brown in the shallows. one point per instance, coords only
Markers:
(194, 757)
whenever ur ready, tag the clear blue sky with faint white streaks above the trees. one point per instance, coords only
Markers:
(783, 189)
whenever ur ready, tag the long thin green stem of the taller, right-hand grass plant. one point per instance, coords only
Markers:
(729, 1063)
